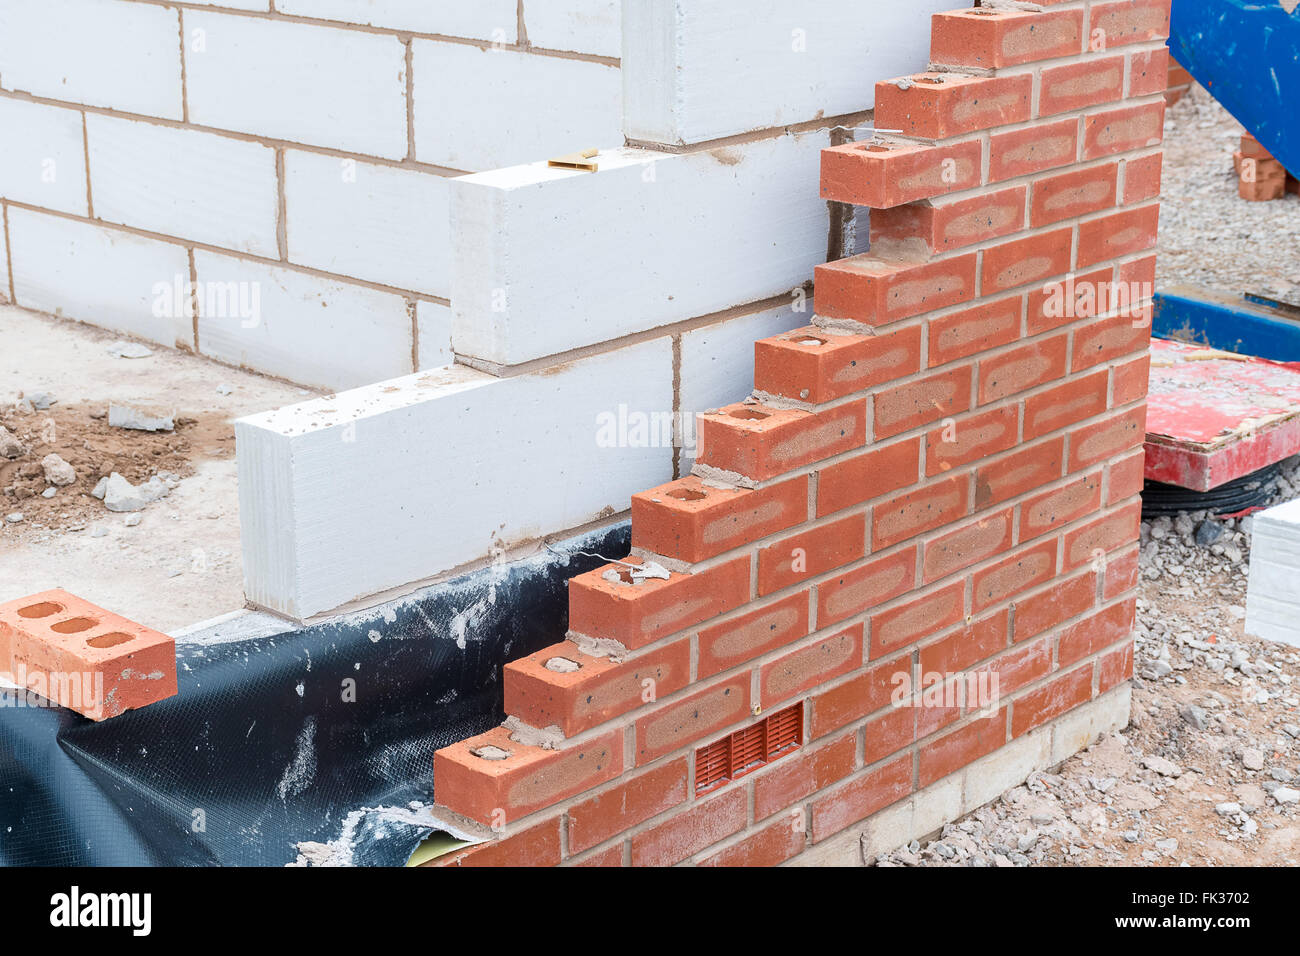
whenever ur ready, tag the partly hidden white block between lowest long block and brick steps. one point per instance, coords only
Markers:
(718, 361)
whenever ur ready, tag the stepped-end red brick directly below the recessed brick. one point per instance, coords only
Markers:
(878, 292)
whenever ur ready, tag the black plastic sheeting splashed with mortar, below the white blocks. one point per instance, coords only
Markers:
(287, 738)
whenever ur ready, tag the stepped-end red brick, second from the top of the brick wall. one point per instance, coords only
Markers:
(938, 106)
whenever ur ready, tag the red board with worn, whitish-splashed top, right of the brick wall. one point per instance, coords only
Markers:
(1214, 417)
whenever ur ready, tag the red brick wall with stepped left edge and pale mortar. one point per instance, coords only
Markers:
(939, 477)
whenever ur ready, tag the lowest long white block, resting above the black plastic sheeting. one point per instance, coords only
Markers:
(346, 498)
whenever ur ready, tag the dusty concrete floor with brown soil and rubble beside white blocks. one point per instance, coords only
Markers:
(181, 564)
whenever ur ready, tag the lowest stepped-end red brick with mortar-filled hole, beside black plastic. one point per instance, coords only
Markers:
(528, 780)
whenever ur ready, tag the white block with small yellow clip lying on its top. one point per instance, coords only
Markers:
(548, 261)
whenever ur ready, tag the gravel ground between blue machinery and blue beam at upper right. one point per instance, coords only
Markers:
(1208, 235)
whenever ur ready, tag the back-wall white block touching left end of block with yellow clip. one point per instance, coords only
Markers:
(369, 222)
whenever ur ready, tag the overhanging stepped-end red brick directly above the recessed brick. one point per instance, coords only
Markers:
(882, 174)
